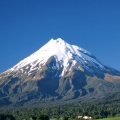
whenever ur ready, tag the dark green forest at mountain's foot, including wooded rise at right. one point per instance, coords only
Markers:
(107, 107)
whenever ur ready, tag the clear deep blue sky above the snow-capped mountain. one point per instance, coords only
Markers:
(26, 25)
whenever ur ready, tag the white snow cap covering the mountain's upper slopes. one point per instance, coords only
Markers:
(63, 52)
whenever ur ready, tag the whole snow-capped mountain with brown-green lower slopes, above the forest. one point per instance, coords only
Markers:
(58, 71)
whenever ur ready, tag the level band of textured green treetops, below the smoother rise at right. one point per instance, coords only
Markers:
(96, 110)
